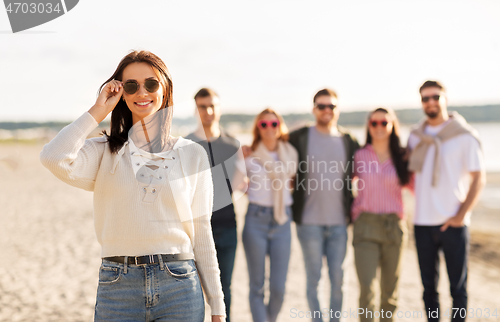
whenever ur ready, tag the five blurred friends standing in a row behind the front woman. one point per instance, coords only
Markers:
(442, 165)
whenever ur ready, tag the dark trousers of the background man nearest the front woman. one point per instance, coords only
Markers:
(225, 244)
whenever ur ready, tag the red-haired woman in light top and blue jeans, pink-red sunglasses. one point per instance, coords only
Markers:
(270, 167)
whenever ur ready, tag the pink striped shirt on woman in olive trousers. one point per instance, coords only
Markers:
(379, 190)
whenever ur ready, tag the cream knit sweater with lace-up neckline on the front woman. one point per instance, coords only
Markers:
(170, 215)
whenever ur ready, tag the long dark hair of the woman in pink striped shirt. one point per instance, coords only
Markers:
(397, 151)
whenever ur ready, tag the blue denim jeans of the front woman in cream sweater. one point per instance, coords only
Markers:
(171, 292)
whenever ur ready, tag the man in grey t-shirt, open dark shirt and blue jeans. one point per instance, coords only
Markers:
(323, 197)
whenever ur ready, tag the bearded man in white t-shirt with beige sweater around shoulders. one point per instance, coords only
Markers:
(449, 170)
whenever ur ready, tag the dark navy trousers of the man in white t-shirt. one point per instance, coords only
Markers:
(455, 245)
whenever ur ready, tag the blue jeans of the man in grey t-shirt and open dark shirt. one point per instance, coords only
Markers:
(317, 241)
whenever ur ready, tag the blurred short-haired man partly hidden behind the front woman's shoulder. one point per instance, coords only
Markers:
(223, 151)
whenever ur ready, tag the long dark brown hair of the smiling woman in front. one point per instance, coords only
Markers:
(121, 117)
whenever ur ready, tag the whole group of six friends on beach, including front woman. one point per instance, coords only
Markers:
(165, 219)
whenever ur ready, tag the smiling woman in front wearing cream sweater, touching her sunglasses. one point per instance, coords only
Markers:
(152, 199)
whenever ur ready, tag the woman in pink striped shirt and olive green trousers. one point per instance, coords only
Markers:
(379, 233)
